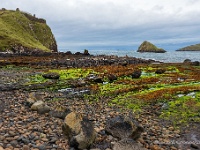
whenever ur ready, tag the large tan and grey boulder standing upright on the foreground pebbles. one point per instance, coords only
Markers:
(80, 131)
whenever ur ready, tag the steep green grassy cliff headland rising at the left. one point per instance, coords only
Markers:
(20, 31)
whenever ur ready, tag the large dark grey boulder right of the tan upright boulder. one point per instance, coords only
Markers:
(123, 127)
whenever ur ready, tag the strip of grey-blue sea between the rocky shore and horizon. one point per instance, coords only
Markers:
(168, 57)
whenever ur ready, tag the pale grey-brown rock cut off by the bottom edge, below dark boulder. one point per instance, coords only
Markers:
(128, 144)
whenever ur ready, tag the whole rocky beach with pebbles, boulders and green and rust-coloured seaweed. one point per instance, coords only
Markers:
(57, 100)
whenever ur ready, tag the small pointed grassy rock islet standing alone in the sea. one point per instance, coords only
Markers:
(149, 47)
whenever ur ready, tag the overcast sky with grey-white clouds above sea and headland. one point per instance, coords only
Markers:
(116, 24)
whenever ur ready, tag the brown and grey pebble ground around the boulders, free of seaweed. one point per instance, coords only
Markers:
(21, 128)
